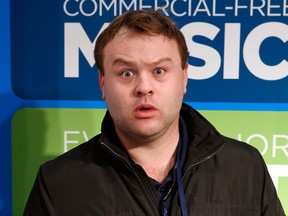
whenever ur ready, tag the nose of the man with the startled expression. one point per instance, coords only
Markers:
(144, 85)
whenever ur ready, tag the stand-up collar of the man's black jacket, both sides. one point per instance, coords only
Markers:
(204, 139)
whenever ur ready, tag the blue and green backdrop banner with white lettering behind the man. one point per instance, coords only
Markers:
(238, 78)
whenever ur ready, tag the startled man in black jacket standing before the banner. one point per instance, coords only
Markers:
(155, 155)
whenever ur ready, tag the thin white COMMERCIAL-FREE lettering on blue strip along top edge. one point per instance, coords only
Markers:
(273, 8)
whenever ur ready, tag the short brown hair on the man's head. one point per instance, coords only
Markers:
(141, 22)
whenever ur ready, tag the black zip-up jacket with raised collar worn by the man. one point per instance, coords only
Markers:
(221, 177)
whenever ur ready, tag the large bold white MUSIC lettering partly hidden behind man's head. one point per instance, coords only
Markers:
(76, 39)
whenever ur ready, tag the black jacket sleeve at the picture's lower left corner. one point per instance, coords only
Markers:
(39, 203)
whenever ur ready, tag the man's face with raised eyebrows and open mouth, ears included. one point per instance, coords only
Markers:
(143, 85)
